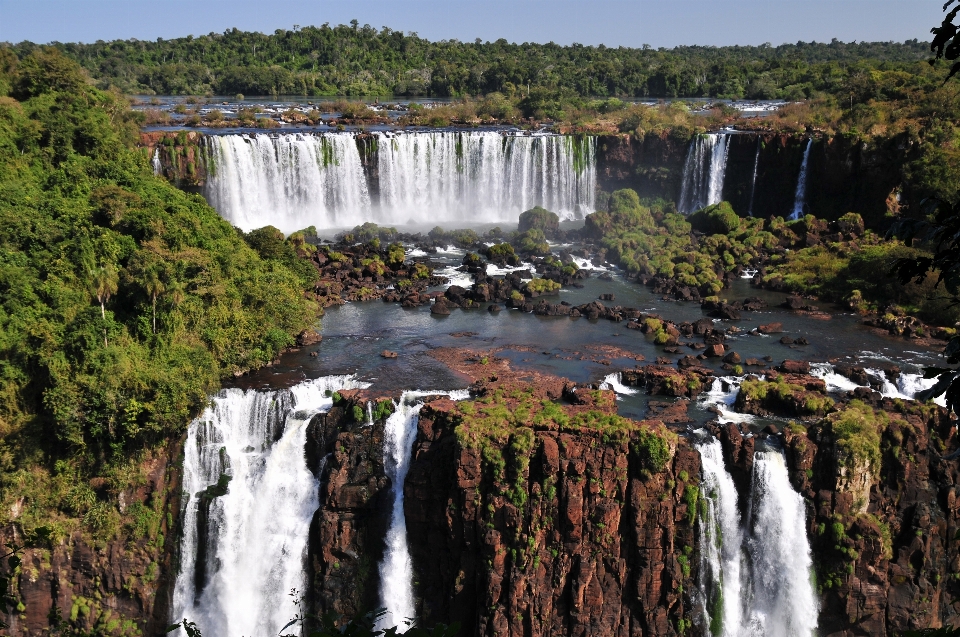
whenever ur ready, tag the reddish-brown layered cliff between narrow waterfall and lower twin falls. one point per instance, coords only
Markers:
(578, 536)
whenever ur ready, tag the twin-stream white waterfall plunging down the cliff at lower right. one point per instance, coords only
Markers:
(755, 578)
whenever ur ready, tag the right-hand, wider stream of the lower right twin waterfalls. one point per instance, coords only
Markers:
(782, 600)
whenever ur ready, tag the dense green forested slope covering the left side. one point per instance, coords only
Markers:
(124, 301)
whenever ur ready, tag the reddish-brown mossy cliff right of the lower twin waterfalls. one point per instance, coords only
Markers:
(882, 529)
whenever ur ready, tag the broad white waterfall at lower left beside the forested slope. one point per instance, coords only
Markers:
(243, 551)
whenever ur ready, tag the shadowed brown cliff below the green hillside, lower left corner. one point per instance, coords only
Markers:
(120, 587)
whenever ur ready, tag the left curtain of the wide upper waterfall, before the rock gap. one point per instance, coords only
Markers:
(287, 181)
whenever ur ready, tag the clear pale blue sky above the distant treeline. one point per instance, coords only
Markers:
(658, 23)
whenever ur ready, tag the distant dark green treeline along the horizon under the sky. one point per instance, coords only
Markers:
(362, 61)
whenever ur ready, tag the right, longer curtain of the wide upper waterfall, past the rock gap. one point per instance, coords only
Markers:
(483, 176)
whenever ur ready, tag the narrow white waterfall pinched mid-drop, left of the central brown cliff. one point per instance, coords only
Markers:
(396, 570)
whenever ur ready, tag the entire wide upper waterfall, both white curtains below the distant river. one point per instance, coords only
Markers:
(293, 181)
